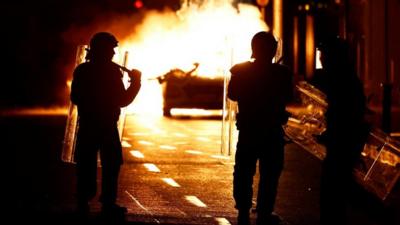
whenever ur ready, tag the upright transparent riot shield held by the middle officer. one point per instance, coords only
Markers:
(229, 132)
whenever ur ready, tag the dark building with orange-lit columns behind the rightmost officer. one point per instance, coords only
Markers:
(370, 27)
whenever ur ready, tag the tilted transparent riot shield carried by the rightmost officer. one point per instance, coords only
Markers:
(379, 167)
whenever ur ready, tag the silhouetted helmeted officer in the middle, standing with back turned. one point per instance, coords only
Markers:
(262, 90)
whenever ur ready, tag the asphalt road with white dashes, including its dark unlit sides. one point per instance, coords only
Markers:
(173, 174)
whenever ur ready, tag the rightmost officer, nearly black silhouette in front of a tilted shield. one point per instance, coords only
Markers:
(346, 129)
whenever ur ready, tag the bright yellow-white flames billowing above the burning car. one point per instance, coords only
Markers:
(214, 34)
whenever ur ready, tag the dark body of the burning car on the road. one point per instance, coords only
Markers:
(185, 90)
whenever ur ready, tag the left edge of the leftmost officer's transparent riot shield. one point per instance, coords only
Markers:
(72, 125)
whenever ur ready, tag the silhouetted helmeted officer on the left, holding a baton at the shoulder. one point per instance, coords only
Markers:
(98, 91)
